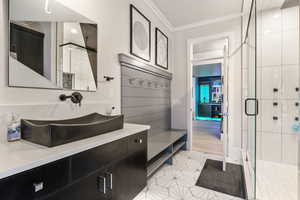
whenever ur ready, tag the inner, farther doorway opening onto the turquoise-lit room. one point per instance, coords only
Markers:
(207, 103)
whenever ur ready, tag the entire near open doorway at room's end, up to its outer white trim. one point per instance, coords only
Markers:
(207, 121)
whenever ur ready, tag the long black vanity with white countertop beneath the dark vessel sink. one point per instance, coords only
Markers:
(111, 166)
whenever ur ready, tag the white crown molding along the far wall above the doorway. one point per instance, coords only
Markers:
(207, 22)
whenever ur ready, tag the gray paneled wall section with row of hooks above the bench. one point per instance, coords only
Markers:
(146, 94)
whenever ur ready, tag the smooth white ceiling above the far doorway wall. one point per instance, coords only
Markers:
(185, 12)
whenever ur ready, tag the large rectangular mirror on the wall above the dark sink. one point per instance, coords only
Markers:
(51, 46)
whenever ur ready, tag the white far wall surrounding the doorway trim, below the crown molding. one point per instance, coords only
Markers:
(179, 85)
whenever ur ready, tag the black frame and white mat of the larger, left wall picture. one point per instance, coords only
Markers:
(132, 9)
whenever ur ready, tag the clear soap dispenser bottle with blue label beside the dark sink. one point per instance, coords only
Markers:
(13, 129)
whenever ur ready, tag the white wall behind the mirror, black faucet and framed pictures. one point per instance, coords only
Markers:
(113, 19)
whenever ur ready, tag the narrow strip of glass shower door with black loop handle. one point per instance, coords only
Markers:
(250, 97)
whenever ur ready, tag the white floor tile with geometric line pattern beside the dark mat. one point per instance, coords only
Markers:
(177, 181)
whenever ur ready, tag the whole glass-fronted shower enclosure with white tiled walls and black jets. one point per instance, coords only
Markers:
(270, 73)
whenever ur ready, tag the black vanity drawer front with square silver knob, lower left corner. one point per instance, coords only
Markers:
(35, 183)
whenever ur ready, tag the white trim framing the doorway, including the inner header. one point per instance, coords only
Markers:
(190, 63)
